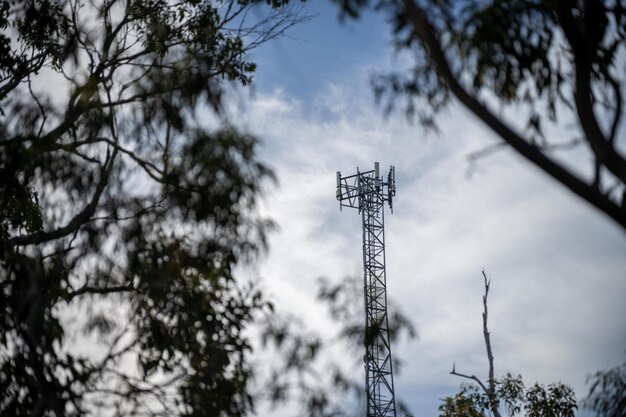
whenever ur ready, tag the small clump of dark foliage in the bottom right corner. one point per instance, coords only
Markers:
(607, 395)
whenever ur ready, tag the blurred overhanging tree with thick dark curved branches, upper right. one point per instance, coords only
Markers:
(543, 61)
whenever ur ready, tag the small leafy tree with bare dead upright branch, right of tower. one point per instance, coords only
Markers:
(506, 395)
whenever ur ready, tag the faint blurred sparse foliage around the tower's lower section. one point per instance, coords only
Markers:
(326, 373)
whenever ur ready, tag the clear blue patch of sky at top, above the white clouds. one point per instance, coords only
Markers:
(317, 52)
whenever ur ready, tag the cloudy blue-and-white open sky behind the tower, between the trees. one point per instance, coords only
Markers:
(557, 265)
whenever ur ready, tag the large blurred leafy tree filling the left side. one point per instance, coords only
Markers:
(123, 208)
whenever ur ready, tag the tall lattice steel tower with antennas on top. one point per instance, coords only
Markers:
(367, 192)
